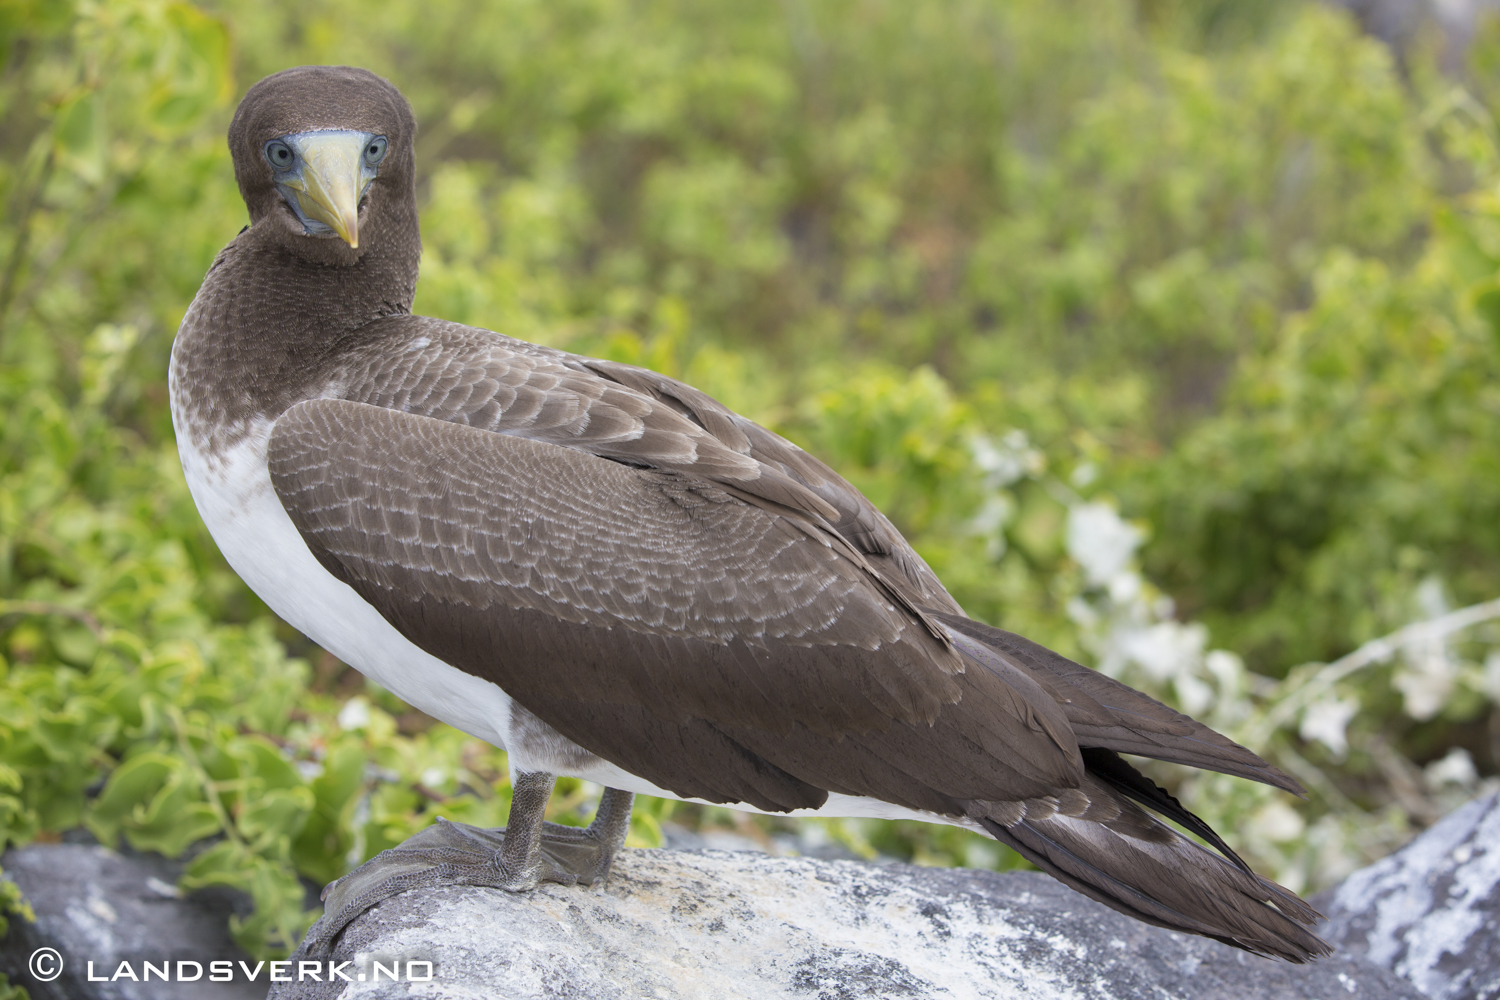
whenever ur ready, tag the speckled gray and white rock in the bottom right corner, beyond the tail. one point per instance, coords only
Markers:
(1432, 911)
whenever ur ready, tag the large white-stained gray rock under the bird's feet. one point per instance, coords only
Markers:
(742, 926)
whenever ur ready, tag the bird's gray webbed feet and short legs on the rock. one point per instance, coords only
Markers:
(517, 858)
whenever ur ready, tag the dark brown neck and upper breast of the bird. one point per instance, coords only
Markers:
(265, 329)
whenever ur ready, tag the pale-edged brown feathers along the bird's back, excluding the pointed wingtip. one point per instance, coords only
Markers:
(628, 415)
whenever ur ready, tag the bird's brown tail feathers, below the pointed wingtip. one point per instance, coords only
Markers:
(1109, 849)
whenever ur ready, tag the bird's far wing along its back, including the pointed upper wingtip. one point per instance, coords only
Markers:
(640, 418)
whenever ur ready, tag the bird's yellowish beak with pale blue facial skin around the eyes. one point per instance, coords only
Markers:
(323, 176)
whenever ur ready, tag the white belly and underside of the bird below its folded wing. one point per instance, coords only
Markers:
(247, 519)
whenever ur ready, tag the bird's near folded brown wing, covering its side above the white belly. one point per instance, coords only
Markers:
(712, 645)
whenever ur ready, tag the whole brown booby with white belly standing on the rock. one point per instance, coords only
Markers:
(613, 576)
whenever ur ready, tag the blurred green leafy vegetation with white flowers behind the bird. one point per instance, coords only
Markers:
(1168, 332)
